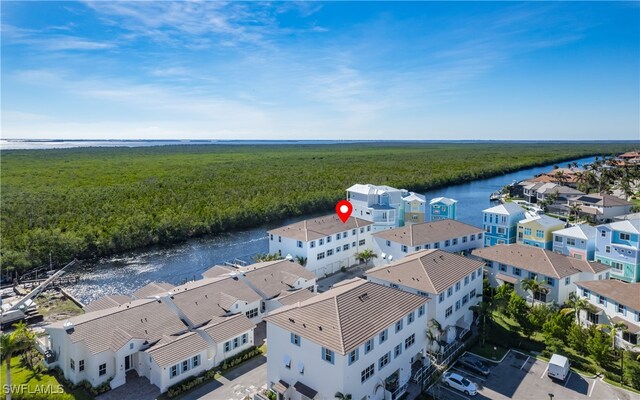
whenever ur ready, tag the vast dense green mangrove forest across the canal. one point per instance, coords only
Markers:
(99, 201)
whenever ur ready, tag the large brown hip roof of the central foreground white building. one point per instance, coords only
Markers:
(346, 316)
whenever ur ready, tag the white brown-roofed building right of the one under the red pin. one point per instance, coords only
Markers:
(447, 234)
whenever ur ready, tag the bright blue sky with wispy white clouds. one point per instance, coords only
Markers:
(337, 70)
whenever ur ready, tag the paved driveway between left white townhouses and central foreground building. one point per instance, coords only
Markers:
(235, 384)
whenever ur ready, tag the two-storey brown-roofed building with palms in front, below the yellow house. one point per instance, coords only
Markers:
(510, 264)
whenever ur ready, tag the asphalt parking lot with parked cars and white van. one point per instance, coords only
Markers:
(521, 377)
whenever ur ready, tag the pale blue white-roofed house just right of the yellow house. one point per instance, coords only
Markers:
(576, 241)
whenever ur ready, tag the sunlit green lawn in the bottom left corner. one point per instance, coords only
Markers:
(37, 382)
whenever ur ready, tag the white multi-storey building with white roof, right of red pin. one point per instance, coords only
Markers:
(381, 205)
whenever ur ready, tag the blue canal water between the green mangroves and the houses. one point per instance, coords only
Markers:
(124, 274)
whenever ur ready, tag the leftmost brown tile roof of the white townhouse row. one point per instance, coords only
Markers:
(107, 329)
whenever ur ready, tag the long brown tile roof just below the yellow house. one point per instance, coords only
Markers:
(538, 260)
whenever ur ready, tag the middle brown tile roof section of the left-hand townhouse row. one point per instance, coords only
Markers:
(207, 298)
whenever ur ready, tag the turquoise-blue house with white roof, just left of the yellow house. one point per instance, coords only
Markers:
(500, 223)
